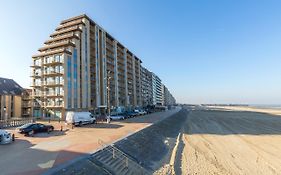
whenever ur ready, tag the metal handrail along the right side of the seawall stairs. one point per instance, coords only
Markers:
(128, 162)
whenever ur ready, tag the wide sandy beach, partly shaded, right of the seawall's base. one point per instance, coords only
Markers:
(230, 142)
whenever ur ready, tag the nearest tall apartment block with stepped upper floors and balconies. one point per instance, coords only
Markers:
(82, 67)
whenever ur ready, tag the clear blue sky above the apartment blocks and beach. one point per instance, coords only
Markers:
(205, 51)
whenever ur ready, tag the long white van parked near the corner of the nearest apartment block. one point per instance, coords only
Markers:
(79, 118)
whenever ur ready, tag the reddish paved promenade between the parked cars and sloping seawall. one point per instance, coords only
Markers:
(35, 155)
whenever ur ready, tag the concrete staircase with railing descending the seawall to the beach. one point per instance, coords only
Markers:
(117, 162)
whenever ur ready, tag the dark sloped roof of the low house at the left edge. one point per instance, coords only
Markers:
(9, 87)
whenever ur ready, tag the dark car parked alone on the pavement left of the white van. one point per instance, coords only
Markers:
(33, 128)
